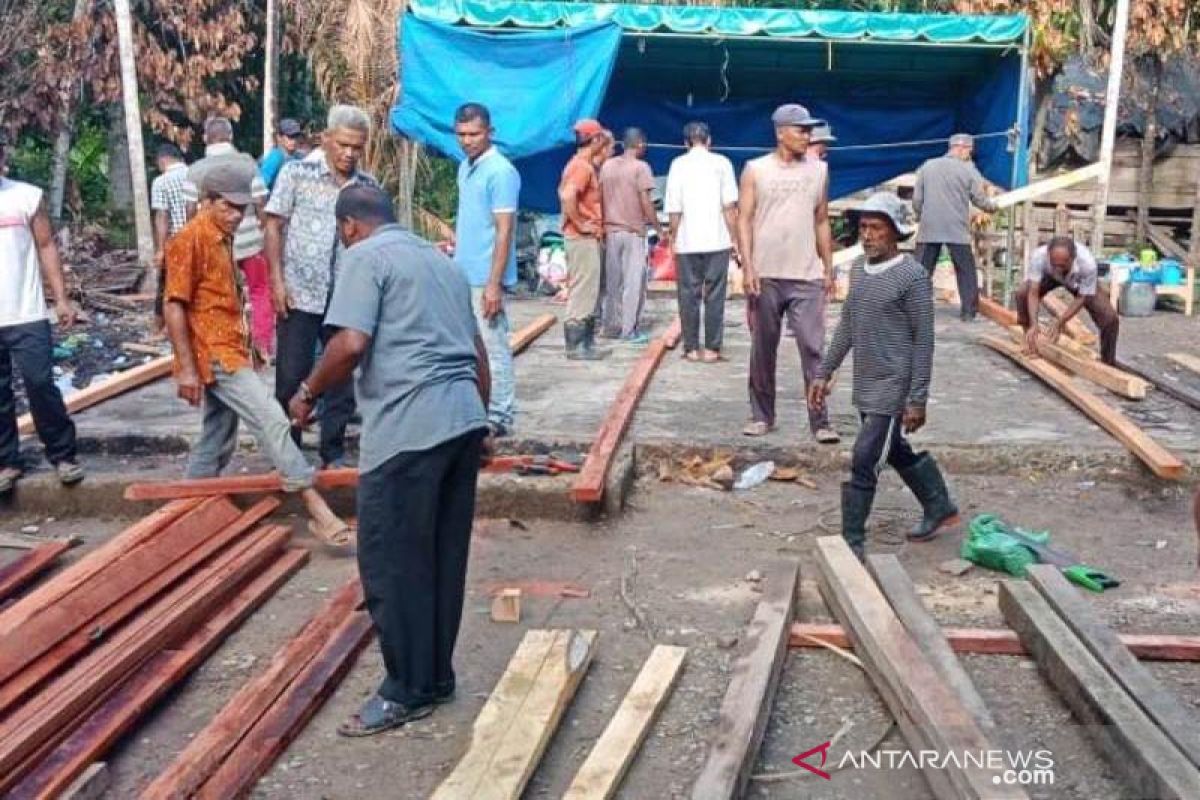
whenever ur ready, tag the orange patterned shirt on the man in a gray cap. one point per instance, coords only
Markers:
(201, 274)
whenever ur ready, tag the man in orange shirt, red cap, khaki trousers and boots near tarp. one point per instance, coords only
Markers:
(584, 230)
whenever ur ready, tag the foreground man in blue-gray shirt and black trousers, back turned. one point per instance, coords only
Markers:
(404, 320)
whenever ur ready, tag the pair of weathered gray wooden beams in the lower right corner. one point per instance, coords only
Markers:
(1149, 737)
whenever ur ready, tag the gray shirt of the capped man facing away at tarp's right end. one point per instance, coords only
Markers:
(946, 189)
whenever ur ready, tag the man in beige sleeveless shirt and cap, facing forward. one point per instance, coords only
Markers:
(788, 257)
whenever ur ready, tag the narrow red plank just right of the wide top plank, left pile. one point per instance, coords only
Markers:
(93, 631)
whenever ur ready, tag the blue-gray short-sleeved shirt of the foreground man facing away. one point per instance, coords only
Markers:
(417, 382)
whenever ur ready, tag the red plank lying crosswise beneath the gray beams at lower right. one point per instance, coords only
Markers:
(1005, 642)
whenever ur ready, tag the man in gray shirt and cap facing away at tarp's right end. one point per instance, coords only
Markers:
(946, 189)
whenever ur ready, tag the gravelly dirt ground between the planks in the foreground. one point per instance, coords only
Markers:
(687, 555)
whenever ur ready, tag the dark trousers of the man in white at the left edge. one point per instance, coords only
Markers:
(31, 348)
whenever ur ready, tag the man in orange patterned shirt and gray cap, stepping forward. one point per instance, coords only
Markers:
(206, 316)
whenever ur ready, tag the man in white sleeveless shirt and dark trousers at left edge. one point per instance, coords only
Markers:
(28, 255)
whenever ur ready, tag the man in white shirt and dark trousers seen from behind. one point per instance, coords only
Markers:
(701, 202)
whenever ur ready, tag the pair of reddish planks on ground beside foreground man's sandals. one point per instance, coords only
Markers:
(242, 743)
